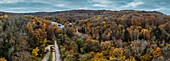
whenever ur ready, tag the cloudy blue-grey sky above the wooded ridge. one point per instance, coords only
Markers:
(26, 6)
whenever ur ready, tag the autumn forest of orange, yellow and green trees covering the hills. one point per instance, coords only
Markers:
(88, 35)
